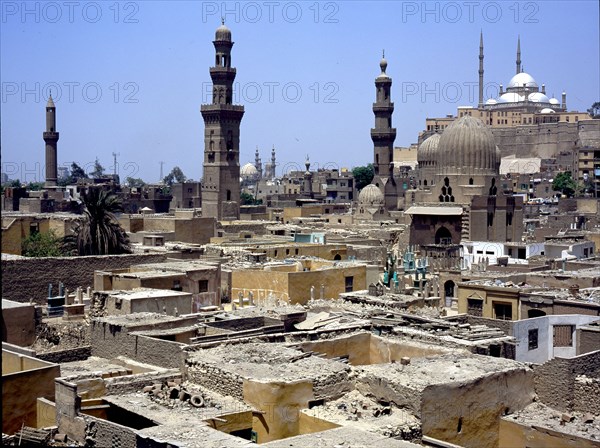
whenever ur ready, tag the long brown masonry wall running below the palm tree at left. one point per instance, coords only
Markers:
(27, 279)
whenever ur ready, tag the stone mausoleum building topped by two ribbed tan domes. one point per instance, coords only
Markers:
(459, 198)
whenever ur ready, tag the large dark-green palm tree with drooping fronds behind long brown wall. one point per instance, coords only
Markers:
(99, 232)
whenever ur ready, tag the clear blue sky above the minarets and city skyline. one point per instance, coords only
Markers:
(129, 77)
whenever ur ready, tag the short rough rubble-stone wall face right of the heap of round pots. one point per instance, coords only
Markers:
(213, 378)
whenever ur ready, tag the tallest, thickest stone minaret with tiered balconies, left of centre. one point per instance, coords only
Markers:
(221, 180)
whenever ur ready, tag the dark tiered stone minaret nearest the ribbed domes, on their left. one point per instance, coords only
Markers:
(383, 135)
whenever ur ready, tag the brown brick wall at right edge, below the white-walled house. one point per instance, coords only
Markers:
(555, 380)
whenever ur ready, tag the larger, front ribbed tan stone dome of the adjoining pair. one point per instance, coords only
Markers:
(467, 146)
